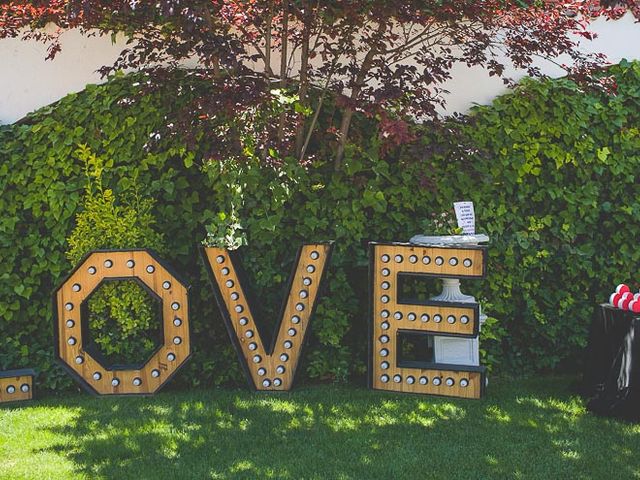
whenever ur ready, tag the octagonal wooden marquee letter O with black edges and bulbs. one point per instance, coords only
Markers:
(71, 323)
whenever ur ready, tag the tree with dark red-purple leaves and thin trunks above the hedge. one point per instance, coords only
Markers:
(278, 63)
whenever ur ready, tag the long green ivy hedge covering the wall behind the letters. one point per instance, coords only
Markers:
(552, 171)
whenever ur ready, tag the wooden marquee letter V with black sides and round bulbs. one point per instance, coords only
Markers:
(273, 368)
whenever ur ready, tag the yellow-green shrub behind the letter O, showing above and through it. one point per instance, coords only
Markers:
(121, 314)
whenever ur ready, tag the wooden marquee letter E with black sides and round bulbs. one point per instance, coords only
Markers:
(390, 317)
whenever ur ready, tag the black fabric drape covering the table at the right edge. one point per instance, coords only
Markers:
(611, 379)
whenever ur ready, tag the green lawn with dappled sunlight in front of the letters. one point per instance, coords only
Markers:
(534, 428)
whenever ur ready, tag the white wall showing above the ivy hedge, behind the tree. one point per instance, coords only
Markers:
(28, 82)
